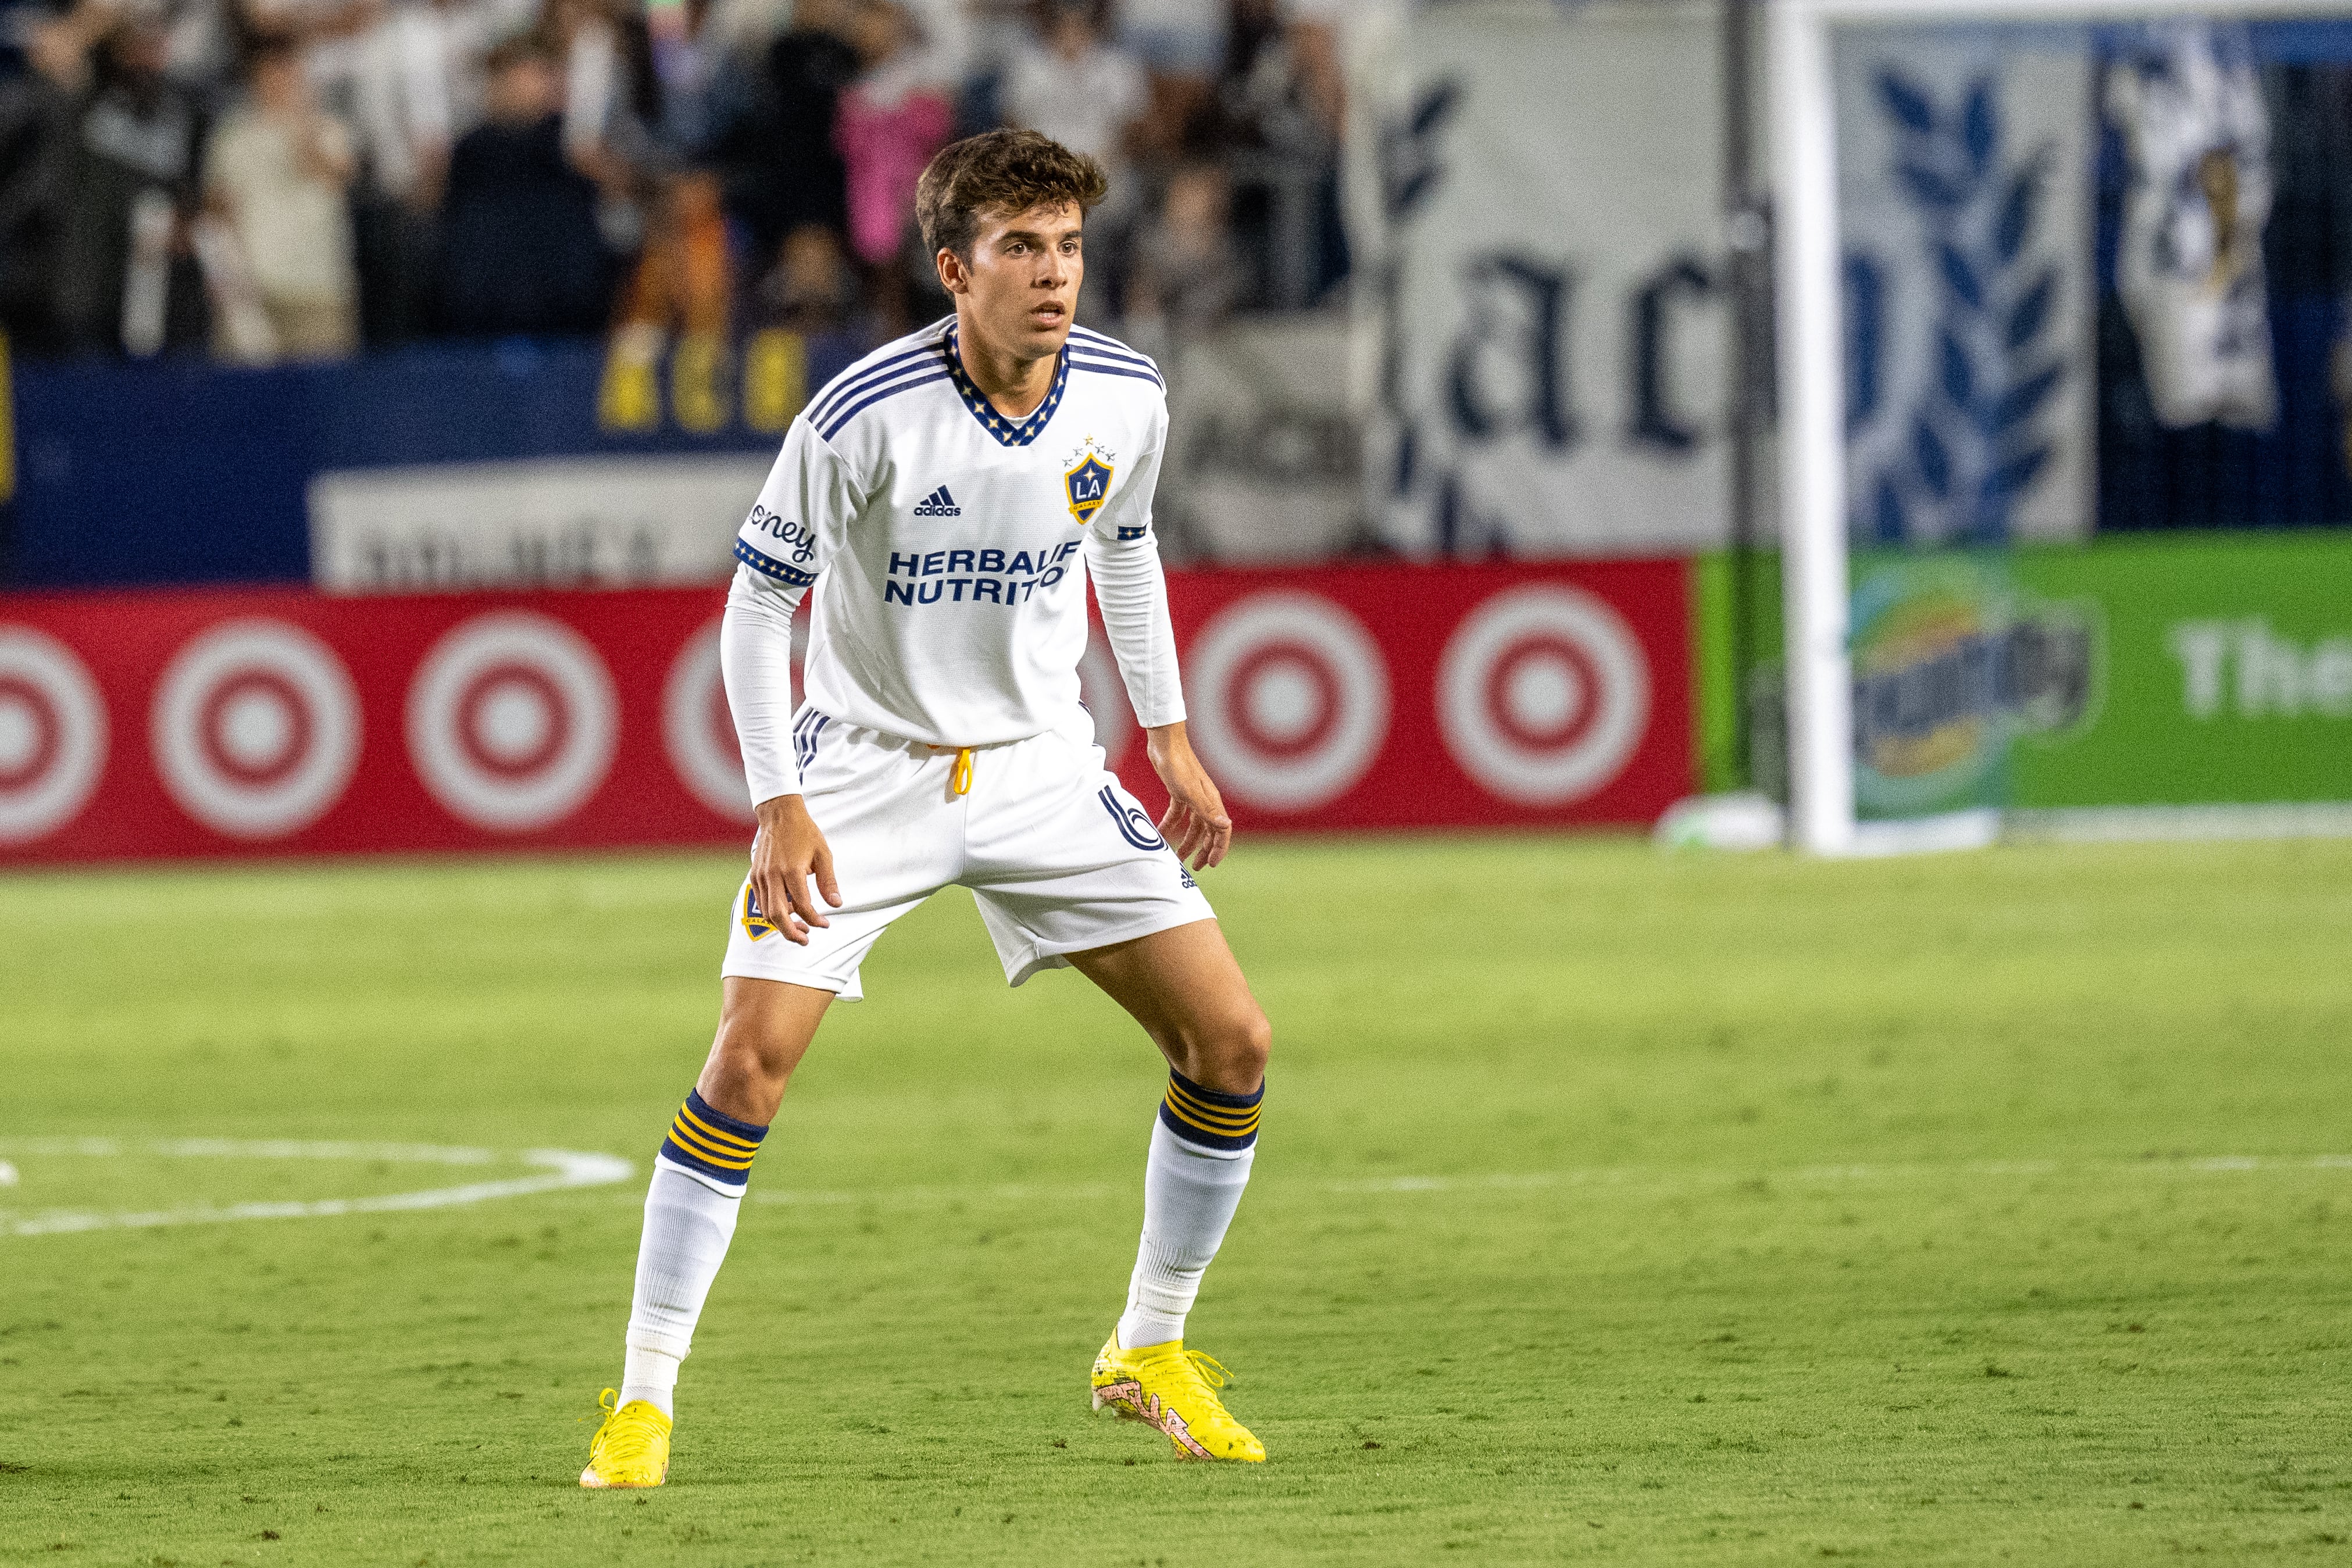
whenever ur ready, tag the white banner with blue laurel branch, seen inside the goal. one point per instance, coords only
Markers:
(1963, 166)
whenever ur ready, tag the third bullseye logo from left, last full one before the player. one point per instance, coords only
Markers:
(514, 721)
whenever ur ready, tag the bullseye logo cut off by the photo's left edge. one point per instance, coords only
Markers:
(53, 735)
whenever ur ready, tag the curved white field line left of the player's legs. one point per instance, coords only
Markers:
(556, 1170)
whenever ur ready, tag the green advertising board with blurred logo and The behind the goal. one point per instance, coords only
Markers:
(2134, 674)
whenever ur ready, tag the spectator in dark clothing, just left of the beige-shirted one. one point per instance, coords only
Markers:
(123, 274)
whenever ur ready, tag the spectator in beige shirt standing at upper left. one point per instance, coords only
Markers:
(279, 170)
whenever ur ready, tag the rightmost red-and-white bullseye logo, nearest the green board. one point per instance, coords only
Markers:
(1544, 695)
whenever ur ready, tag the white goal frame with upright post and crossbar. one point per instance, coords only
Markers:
(1812, 363)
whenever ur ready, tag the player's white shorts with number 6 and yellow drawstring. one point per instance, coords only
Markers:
(1055, 852)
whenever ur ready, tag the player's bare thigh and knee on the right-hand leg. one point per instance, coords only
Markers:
(1189, 993)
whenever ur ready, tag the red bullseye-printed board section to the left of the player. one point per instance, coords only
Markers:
(290, 723)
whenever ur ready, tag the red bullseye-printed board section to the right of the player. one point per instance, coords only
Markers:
(1415, 697)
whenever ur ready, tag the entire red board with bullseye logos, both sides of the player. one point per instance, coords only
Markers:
(288, 723)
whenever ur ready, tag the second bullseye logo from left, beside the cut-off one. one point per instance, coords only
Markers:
(255, 730)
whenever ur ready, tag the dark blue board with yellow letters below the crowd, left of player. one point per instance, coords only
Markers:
(196, 474)
